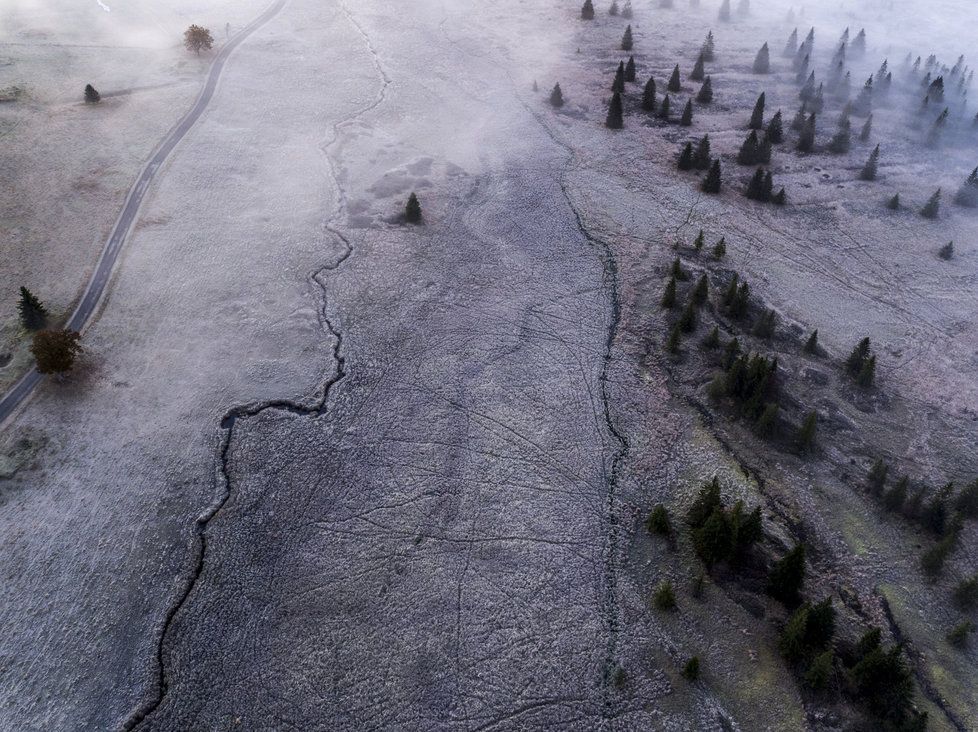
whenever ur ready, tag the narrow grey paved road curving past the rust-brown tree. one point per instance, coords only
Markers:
(123, 225)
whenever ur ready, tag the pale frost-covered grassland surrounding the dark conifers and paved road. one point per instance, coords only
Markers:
(440, 529)
